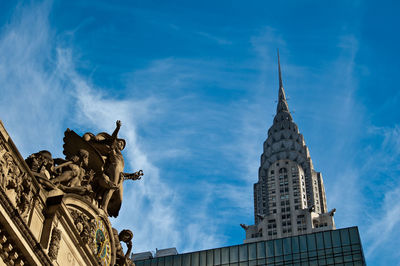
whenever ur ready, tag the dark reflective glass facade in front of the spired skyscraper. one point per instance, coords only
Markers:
(336, 247)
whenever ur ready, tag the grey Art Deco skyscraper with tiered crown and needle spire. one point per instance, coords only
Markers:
(289, 197)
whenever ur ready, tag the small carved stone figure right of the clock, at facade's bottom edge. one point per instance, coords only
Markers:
(126, 237)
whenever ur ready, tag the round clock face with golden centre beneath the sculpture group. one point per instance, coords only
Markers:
(102, 243)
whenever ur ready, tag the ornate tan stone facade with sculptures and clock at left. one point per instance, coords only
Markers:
(54, 211)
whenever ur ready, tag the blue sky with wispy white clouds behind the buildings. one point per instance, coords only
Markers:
(195, 85)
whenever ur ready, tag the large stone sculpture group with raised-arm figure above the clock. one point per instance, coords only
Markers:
(93, 167)
